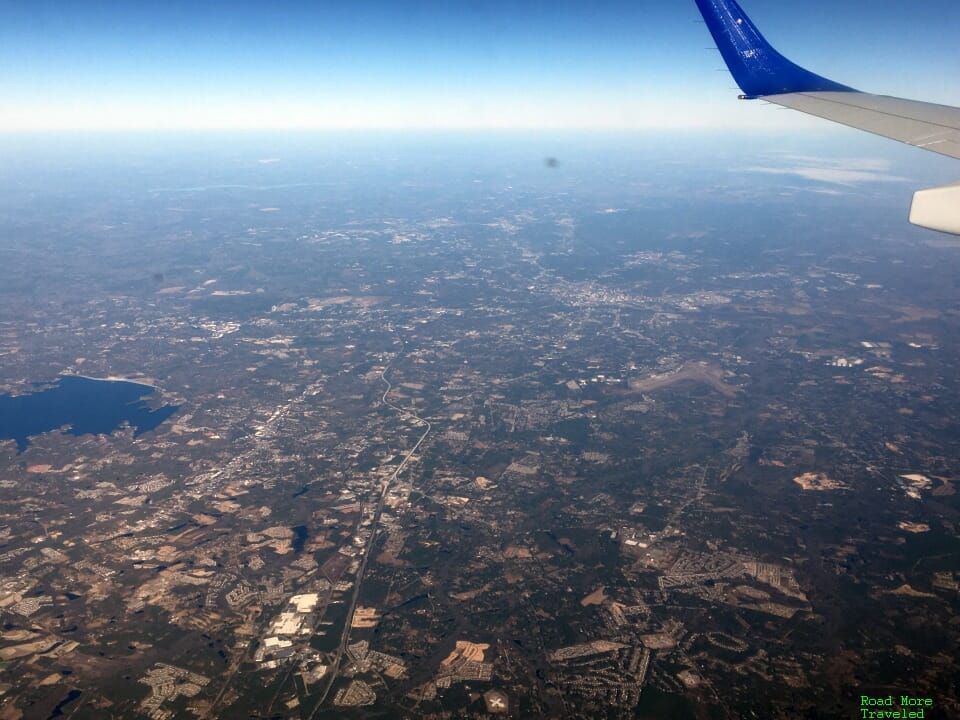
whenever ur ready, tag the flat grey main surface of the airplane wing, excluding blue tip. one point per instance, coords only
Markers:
(924, 125)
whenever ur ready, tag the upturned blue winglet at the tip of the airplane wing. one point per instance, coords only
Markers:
(758, 68)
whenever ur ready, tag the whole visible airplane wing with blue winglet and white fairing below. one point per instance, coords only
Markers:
(762, 72)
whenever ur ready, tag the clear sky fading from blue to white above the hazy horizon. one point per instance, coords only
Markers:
(142, 64)
